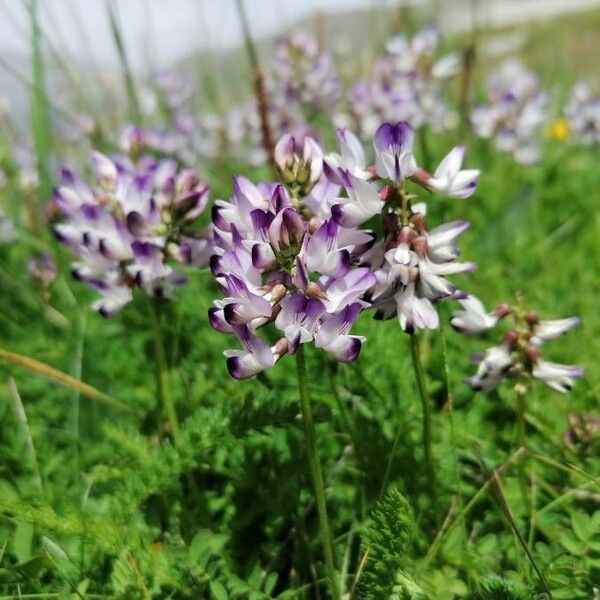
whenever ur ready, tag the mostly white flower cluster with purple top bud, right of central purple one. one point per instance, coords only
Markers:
(410, 262)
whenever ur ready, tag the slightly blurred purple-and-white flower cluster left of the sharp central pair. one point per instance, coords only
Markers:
(128, 224)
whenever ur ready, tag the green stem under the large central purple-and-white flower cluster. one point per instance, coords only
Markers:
(316, 473)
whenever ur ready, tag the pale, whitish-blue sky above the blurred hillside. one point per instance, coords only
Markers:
(176, 26)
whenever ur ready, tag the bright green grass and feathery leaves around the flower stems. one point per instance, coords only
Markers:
(226, 509)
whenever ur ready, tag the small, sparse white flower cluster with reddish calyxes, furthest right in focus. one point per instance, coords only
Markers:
(518, 356)
